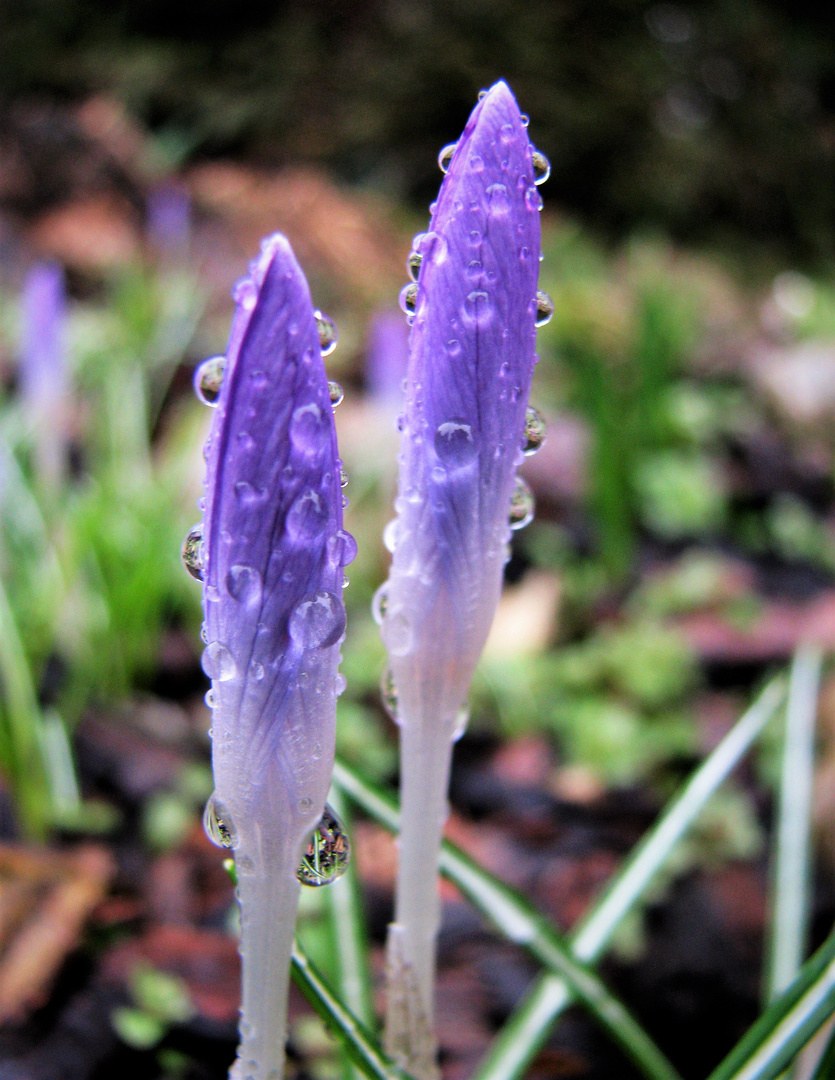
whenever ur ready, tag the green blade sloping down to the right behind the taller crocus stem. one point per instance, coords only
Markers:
(519, 922)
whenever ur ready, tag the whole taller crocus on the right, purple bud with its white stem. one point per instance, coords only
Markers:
(475, 310)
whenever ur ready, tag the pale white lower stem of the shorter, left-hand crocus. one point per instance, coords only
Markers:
(268, 900)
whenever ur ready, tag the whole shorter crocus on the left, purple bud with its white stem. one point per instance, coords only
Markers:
(272, 553)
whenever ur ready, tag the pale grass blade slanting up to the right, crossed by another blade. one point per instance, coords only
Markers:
(551, 995)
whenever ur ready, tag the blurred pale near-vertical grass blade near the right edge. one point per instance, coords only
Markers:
(790, 904)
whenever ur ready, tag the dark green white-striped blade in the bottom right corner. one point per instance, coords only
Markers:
(788, 1024)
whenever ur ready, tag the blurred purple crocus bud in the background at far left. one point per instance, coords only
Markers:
(44, 369)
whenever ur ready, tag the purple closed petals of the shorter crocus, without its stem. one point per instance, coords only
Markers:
(275, 551)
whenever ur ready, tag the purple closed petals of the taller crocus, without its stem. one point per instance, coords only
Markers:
(472, 360)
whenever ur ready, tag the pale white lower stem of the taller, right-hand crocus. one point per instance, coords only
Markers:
(426, 758)
